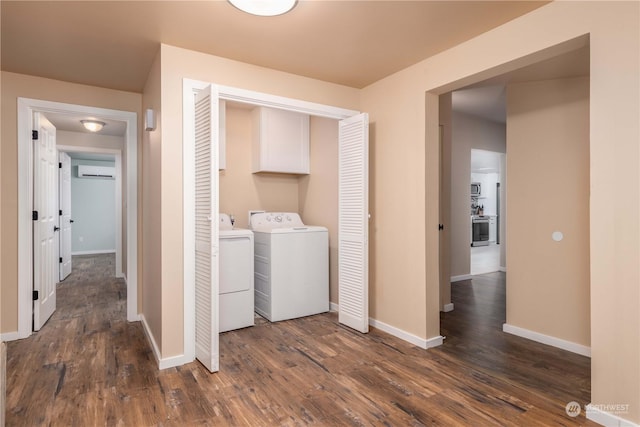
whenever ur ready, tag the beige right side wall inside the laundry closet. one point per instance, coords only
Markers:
(318, 192)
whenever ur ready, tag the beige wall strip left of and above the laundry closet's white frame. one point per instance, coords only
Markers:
(177, 64)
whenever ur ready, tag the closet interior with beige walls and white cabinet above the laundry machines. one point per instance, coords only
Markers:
(251, 182)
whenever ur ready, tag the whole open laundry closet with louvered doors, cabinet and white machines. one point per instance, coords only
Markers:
(229, 173)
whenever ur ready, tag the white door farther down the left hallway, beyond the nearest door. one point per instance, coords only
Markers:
(65, 214)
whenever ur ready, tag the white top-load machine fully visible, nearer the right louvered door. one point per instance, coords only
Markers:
(291, 266)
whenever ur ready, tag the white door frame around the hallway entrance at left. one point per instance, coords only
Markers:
(26, 108)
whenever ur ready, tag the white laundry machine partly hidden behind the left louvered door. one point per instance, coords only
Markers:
(236, 276)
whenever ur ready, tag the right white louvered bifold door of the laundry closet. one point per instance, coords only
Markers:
(353, 215)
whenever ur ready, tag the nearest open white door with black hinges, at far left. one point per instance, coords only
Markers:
(45, 223)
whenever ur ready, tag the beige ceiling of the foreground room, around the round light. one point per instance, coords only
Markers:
(112, 44)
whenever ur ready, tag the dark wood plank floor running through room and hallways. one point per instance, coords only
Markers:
(88, 367)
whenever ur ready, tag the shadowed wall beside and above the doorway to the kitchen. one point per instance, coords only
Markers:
(469, 132)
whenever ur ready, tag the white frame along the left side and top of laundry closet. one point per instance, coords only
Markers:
(189, 89)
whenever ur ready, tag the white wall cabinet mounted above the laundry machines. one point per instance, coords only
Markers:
(280, 141)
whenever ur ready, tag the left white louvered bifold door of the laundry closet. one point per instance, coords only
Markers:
(206, 221)
